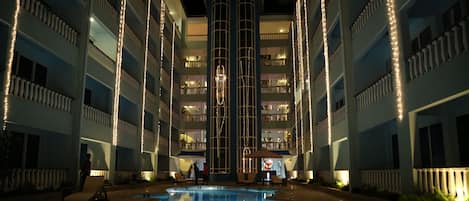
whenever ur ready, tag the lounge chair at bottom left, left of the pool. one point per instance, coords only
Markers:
(93, 188)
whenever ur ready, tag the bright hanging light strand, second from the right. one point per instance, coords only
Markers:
(326, 70)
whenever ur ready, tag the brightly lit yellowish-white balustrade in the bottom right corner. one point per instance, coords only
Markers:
(452, 181)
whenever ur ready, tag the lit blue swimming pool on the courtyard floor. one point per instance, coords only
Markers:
(213, 193)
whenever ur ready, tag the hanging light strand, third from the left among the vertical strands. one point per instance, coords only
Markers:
(145, 65)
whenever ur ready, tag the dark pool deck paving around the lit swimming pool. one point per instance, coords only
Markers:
(291, 191)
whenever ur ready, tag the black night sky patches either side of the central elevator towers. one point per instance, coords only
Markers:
(196, 8)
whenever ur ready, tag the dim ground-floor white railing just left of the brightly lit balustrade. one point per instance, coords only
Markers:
(388, 179)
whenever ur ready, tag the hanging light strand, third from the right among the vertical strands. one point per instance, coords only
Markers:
(308, 77)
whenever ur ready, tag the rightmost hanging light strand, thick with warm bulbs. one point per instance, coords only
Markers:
(395, 49)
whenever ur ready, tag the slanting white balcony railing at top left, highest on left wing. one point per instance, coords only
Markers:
(38, 9)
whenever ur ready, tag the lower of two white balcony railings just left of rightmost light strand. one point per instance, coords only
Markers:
(382, 87)
